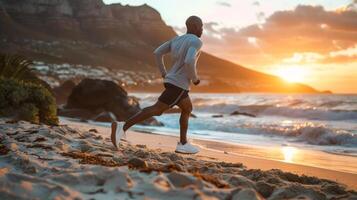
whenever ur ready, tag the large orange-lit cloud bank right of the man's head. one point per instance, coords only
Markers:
(308, 31)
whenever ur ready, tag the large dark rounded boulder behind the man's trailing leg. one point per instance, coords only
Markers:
(98, 96)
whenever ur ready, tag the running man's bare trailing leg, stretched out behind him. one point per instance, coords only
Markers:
(155, 110)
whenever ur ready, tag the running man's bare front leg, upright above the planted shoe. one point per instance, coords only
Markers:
(186, 109)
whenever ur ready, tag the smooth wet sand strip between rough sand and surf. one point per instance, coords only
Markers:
(220, 151)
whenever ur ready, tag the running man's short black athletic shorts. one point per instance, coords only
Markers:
(172, 94)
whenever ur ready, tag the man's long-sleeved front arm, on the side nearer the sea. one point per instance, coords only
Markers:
(191, 61)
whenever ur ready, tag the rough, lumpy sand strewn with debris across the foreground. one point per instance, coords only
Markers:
(63, 162)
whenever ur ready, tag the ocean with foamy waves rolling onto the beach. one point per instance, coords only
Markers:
(309, 129)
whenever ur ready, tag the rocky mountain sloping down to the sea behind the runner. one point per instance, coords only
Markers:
(118, 37)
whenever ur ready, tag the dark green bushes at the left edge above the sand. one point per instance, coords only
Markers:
(22, 94)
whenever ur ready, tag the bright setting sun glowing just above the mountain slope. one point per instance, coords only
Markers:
(292, 74)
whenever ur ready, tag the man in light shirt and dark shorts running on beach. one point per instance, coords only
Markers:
(184, 50)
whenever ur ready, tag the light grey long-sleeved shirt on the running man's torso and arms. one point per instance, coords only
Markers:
(184, 50)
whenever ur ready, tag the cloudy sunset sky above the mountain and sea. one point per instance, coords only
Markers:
(307, 41)
